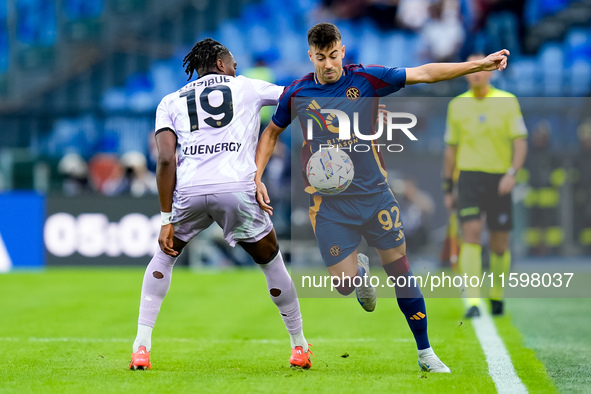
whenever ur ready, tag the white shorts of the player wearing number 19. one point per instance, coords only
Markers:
(238, 214)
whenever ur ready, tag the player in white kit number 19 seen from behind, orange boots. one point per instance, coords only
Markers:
(215, 120)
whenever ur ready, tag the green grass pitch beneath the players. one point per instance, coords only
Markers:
(71, 330)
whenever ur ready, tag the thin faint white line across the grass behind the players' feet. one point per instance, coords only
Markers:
(195, 340)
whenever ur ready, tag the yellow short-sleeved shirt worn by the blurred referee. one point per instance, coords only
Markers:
(484, 130)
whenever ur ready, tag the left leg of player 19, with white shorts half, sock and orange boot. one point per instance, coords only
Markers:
(189, 219)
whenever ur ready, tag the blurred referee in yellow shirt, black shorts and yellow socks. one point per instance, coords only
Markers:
(486, 139)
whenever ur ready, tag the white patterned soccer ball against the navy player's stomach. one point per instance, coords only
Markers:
(330, 171)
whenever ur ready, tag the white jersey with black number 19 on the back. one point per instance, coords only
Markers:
(216, 120)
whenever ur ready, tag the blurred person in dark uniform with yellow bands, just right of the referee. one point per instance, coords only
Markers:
(546, 176)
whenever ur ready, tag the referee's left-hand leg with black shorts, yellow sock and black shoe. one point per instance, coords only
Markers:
(470, 194)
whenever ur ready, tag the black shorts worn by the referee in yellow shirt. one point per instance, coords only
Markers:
(478, 193)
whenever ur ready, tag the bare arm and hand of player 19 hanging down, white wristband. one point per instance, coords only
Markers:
(166, 178)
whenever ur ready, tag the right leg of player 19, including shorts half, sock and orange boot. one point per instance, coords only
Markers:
(246, 224)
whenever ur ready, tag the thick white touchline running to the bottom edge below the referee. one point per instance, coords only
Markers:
(500, 367)
